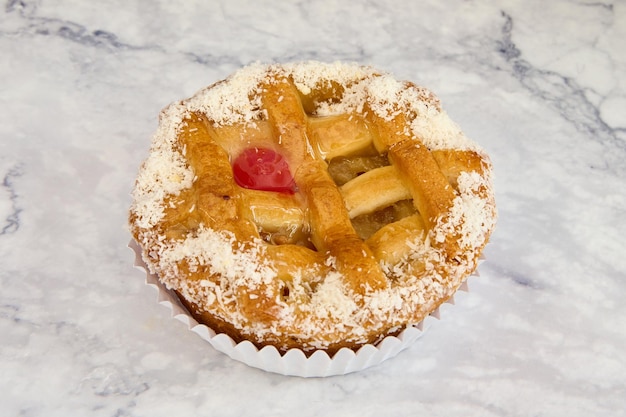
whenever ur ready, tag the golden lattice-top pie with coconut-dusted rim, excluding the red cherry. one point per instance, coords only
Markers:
(350, 257)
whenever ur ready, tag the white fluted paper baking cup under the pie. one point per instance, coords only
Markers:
(294, 362)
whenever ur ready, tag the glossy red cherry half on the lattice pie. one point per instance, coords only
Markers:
(263, 169)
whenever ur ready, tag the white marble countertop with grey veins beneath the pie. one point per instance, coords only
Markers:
(541, 85)
